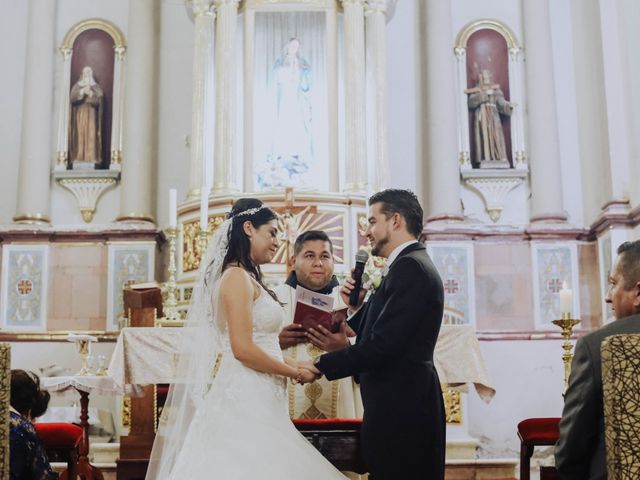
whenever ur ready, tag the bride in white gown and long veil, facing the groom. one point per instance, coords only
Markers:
(226, 415)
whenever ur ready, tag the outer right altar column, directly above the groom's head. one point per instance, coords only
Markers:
(376, 71)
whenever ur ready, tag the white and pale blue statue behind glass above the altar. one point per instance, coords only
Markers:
(292, 148)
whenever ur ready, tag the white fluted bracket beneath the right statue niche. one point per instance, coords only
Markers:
(493, 186)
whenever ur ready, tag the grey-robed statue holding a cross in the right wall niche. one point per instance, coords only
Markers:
(488, 103)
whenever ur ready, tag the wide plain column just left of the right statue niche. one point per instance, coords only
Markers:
(440, 174)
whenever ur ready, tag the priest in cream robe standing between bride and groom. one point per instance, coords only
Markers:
(313, 269)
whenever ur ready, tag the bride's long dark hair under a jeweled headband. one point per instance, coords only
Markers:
(239, 247)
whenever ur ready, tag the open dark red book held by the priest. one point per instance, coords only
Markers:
(313, 309)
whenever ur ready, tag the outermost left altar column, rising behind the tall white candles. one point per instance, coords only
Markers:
(201, 127)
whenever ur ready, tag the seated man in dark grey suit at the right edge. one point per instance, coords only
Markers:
(580, 451)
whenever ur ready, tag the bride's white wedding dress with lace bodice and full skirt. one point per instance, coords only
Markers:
(242, 429)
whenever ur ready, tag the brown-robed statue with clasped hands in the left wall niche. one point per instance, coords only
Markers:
(85, 129)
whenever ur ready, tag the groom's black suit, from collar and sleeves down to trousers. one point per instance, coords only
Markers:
(403, 431)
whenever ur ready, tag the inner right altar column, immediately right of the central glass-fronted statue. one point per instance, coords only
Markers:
(355, 97)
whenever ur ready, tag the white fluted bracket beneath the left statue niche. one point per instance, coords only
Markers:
(87, 187)
